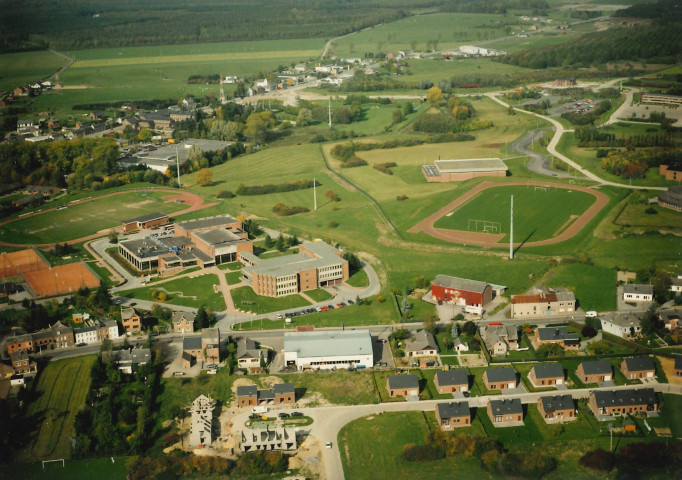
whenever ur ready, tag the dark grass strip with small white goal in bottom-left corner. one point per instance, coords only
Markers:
(100, 468)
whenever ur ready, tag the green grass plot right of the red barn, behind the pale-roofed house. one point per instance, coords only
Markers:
(594, 286)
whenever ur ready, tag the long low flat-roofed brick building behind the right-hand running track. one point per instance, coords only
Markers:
(465, 169)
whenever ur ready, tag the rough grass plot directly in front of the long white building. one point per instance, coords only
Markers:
(340, 387)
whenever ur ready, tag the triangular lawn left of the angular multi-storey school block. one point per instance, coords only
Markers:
(186, 292)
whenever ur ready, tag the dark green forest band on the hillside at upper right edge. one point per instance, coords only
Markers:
(639, 42)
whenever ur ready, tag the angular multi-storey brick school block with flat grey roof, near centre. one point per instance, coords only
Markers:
(316, 265)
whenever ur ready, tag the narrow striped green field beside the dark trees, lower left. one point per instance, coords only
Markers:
(63, 386)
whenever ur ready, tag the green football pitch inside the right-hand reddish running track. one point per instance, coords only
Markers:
(538, 214)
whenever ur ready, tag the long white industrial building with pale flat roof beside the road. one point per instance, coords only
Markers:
(328, 350)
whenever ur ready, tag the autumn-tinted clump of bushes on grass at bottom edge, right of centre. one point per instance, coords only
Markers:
(489, 452)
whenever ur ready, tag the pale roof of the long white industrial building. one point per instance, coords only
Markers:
(335, 343)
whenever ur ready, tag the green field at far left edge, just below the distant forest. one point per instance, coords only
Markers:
(20, 68)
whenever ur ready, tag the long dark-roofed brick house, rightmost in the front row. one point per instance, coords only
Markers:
(623, 402)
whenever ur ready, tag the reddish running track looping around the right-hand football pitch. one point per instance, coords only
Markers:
(492, 240)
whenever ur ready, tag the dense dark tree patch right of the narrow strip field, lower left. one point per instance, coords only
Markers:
(113, 423)
